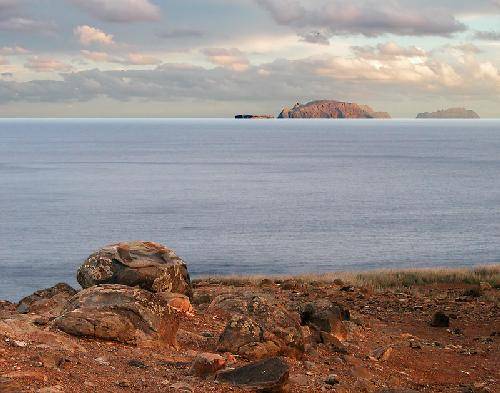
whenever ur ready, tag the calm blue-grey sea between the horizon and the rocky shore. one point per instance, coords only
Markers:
(270, 196)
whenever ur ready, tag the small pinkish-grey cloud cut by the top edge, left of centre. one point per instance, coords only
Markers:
(123, 11)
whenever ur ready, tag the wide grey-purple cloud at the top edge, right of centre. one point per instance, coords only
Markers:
(367, 17)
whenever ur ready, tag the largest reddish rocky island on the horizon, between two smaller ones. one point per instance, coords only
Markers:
(331, 109)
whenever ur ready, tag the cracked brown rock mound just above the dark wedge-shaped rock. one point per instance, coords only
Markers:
(260, 326)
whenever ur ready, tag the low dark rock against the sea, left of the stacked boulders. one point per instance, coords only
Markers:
(49, 302)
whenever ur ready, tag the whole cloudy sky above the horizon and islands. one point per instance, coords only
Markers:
(217, 58)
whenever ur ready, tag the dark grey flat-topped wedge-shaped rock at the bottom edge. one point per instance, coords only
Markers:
(270, 375)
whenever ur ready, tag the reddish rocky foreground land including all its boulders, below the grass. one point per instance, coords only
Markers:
(140, 324)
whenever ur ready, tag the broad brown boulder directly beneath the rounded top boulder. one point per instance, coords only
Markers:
(119, 313)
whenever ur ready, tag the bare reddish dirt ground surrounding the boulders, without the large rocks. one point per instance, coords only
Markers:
(461, 358)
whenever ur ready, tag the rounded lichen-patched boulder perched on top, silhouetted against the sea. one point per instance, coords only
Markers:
(147, 265)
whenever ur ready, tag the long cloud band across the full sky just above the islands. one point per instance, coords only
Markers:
(452, 73)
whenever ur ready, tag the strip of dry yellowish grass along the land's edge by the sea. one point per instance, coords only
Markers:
(382, 279)
